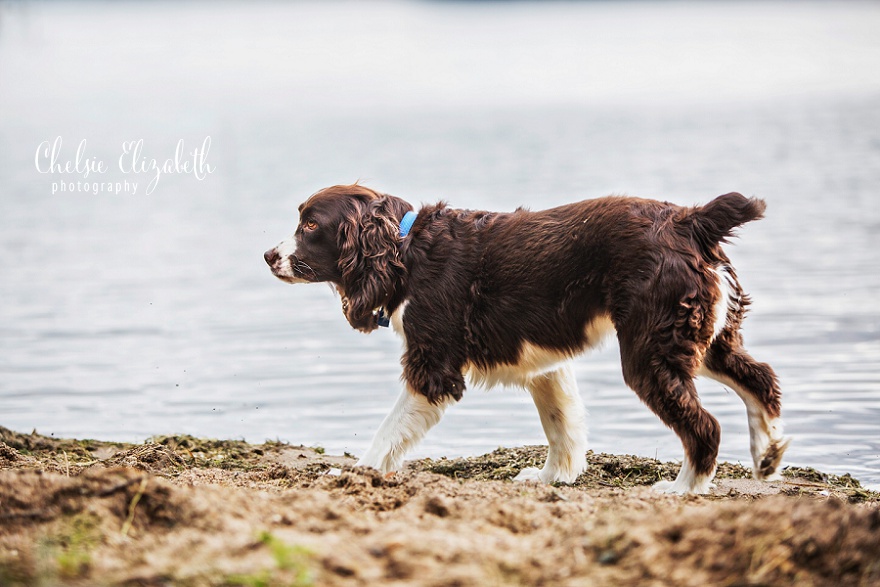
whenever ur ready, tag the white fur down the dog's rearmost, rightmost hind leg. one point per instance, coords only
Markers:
(766, 439)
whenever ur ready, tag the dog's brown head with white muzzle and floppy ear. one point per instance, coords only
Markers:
(347, 236)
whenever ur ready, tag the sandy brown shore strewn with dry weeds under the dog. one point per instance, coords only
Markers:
(184, 511)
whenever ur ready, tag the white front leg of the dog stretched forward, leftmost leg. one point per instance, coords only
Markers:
(410, 419)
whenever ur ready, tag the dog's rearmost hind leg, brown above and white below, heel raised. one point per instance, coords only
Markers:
(756, 384)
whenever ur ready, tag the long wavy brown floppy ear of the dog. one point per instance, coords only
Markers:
(369, 258)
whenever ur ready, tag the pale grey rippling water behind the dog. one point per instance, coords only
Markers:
(127, 315)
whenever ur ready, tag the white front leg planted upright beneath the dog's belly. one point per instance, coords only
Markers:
(563, 417)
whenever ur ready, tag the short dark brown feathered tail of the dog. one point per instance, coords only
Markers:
(715, 222)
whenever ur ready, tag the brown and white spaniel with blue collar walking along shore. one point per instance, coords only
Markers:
(511, 298)
